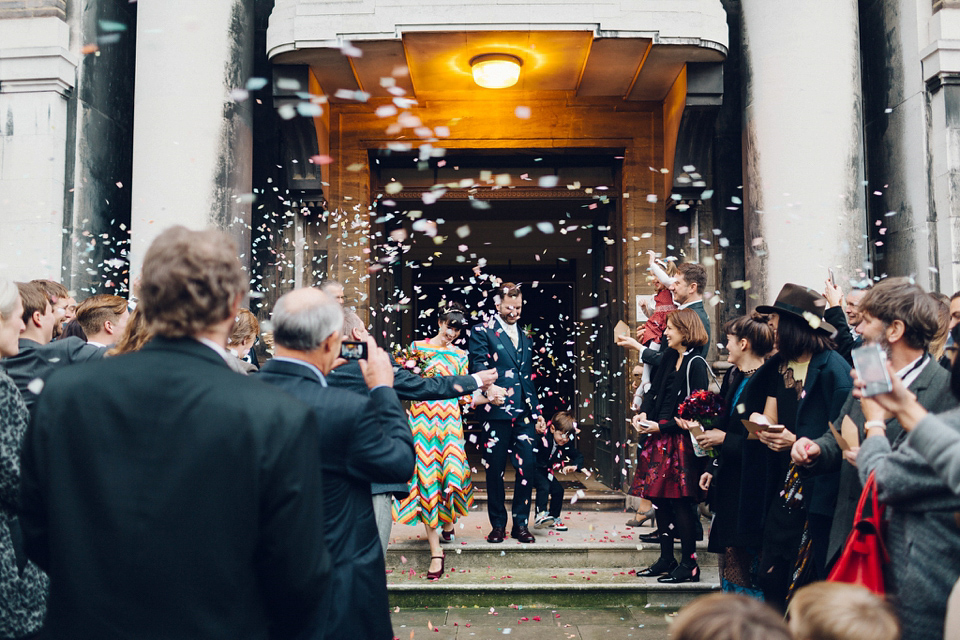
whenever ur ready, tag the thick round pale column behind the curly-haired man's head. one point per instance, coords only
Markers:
(192, 142)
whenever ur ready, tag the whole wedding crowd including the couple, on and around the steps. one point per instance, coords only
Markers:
(149, 463)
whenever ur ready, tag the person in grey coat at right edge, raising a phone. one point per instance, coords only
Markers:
(923, 535)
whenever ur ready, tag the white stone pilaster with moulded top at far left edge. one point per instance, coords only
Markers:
(37, 74)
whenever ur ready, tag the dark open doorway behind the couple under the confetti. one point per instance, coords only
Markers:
(560, 243)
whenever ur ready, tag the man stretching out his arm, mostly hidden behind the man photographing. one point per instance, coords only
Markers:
(409, 386)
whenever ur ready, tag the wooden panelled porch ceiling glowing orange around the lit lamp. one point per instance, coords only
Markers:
(429, 65)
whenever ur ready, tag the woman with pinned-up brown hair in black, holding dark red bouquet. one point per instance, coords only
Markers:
(749, 341)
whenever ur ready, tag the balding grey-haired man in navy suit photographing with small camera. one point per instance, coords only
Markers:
(362, 440)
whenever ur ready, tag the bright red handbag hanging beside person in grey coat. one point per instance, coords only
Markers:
(864, 555)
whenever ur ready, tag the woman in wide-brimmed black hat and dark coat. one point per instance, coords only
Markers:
(805, 385)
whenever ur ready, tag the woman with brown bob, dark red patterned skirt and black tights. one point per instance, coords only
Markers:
(668, 471)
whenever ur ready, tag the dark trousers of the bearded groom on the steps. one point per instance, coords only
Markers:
(511, 439)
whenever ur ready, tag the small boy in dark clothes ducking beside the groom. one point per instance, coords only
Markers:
(555, 453)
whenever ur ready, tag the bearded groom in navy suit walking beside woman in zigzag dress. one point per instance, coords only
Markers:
(510, 426)
